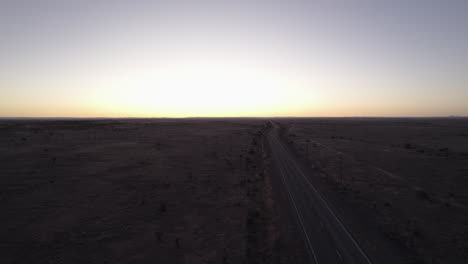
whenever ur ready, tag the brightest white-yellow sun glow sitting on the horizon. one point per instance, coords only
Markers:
(201, 89)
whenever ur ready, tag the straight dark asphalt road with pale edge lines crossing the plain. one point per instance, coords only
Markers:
(325, 236)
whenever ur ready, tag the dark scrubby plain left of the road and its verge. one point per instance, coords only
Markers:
(131, 191)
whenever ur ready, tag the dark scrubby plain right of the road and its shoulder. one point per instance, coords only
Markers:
(408, 176)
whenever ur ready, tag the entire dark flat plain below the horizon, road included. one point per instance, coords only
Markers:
(234, 190)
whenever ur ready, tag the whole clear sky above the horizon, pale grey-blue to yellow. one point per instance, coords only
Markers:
(141, 58)
